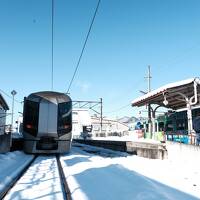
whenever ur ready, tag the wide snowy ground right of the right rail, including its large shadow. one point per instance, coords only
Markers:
(126, 177)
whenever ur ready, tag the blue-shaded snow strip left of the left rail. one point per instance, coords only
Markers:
(11, 164)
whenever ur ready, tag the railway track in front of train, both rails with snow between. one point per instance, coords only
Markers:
(43, 177)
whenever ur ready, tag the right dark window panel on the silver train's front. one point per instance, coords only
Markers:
(64, 118)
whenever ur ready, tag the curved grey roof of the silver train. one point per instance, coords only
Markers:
(52, 96)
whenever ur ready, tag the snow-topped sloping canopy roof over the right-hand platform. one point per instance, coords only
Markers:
(171, 95)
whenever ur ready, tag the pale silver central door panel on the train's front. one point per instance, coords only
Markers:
(48, 119)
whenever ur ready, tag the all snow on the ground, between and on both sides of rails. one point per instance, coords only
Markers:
(94, 174)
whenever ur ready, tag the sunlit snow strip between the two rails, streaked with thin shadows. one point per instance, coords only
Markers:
(41, 181)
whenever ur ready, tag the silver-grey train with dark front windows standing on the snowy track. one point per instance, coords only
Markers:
(47, 122)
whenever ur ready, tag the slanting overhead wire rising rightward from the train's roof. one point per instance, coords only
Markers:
(84, 45)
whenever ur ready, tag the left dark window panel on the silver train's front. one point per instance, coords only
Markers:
(31, 116)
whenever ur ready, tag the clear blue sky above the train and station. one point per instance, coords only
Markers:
(127, 36)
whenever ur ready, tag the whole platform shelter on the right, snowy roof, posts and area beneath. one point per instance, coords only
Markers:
(182, 98)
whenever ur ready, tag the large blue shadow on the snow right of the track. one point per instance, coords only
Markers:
(116, 182)
